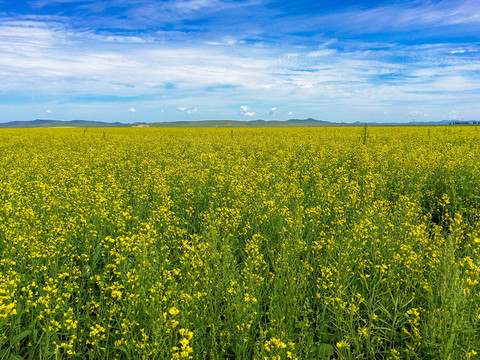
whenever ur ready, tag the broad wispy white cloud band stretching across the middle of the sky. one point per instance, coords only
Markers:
(81, 64)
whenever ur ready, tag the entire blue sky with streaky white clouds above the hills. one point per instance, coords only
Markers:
(145, 60)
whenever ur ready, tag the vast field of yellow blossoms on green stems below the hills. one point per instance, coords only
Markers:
(294, 243)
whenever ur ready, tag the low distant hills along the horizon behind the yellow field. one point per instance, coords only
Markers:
(39, 123)
